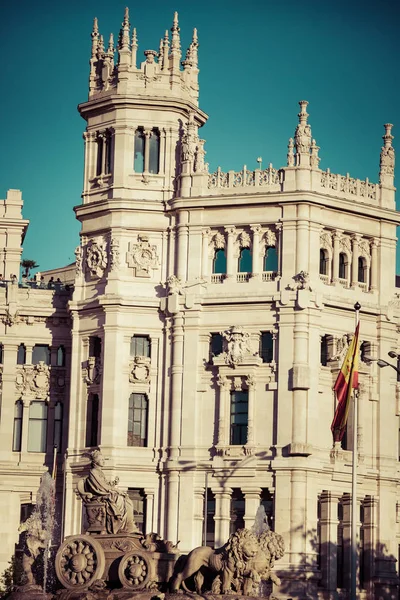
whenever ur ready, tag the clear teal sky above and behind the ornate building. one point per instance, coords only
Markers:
(257, 60)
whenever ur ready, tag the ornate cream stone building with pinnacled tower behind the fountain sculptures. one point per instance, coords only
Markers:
(208, 321)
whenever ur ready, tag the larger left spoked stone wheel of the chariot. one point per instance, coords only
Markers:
(79, 562)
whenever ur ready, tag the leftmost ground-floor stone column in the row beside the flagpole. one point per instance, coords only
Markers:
(328, 539)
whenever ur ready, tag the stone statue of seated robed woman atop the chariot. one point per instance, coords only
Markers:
(95, 488)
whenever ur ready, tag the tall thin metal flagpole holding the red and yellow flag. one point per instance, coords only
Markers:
(354, 516)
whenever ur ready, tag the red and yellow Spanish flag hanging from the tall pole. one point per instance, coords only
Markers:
(346, 381)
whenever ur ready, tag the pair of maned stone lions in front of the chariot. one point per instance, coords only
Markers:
(240, 564)
